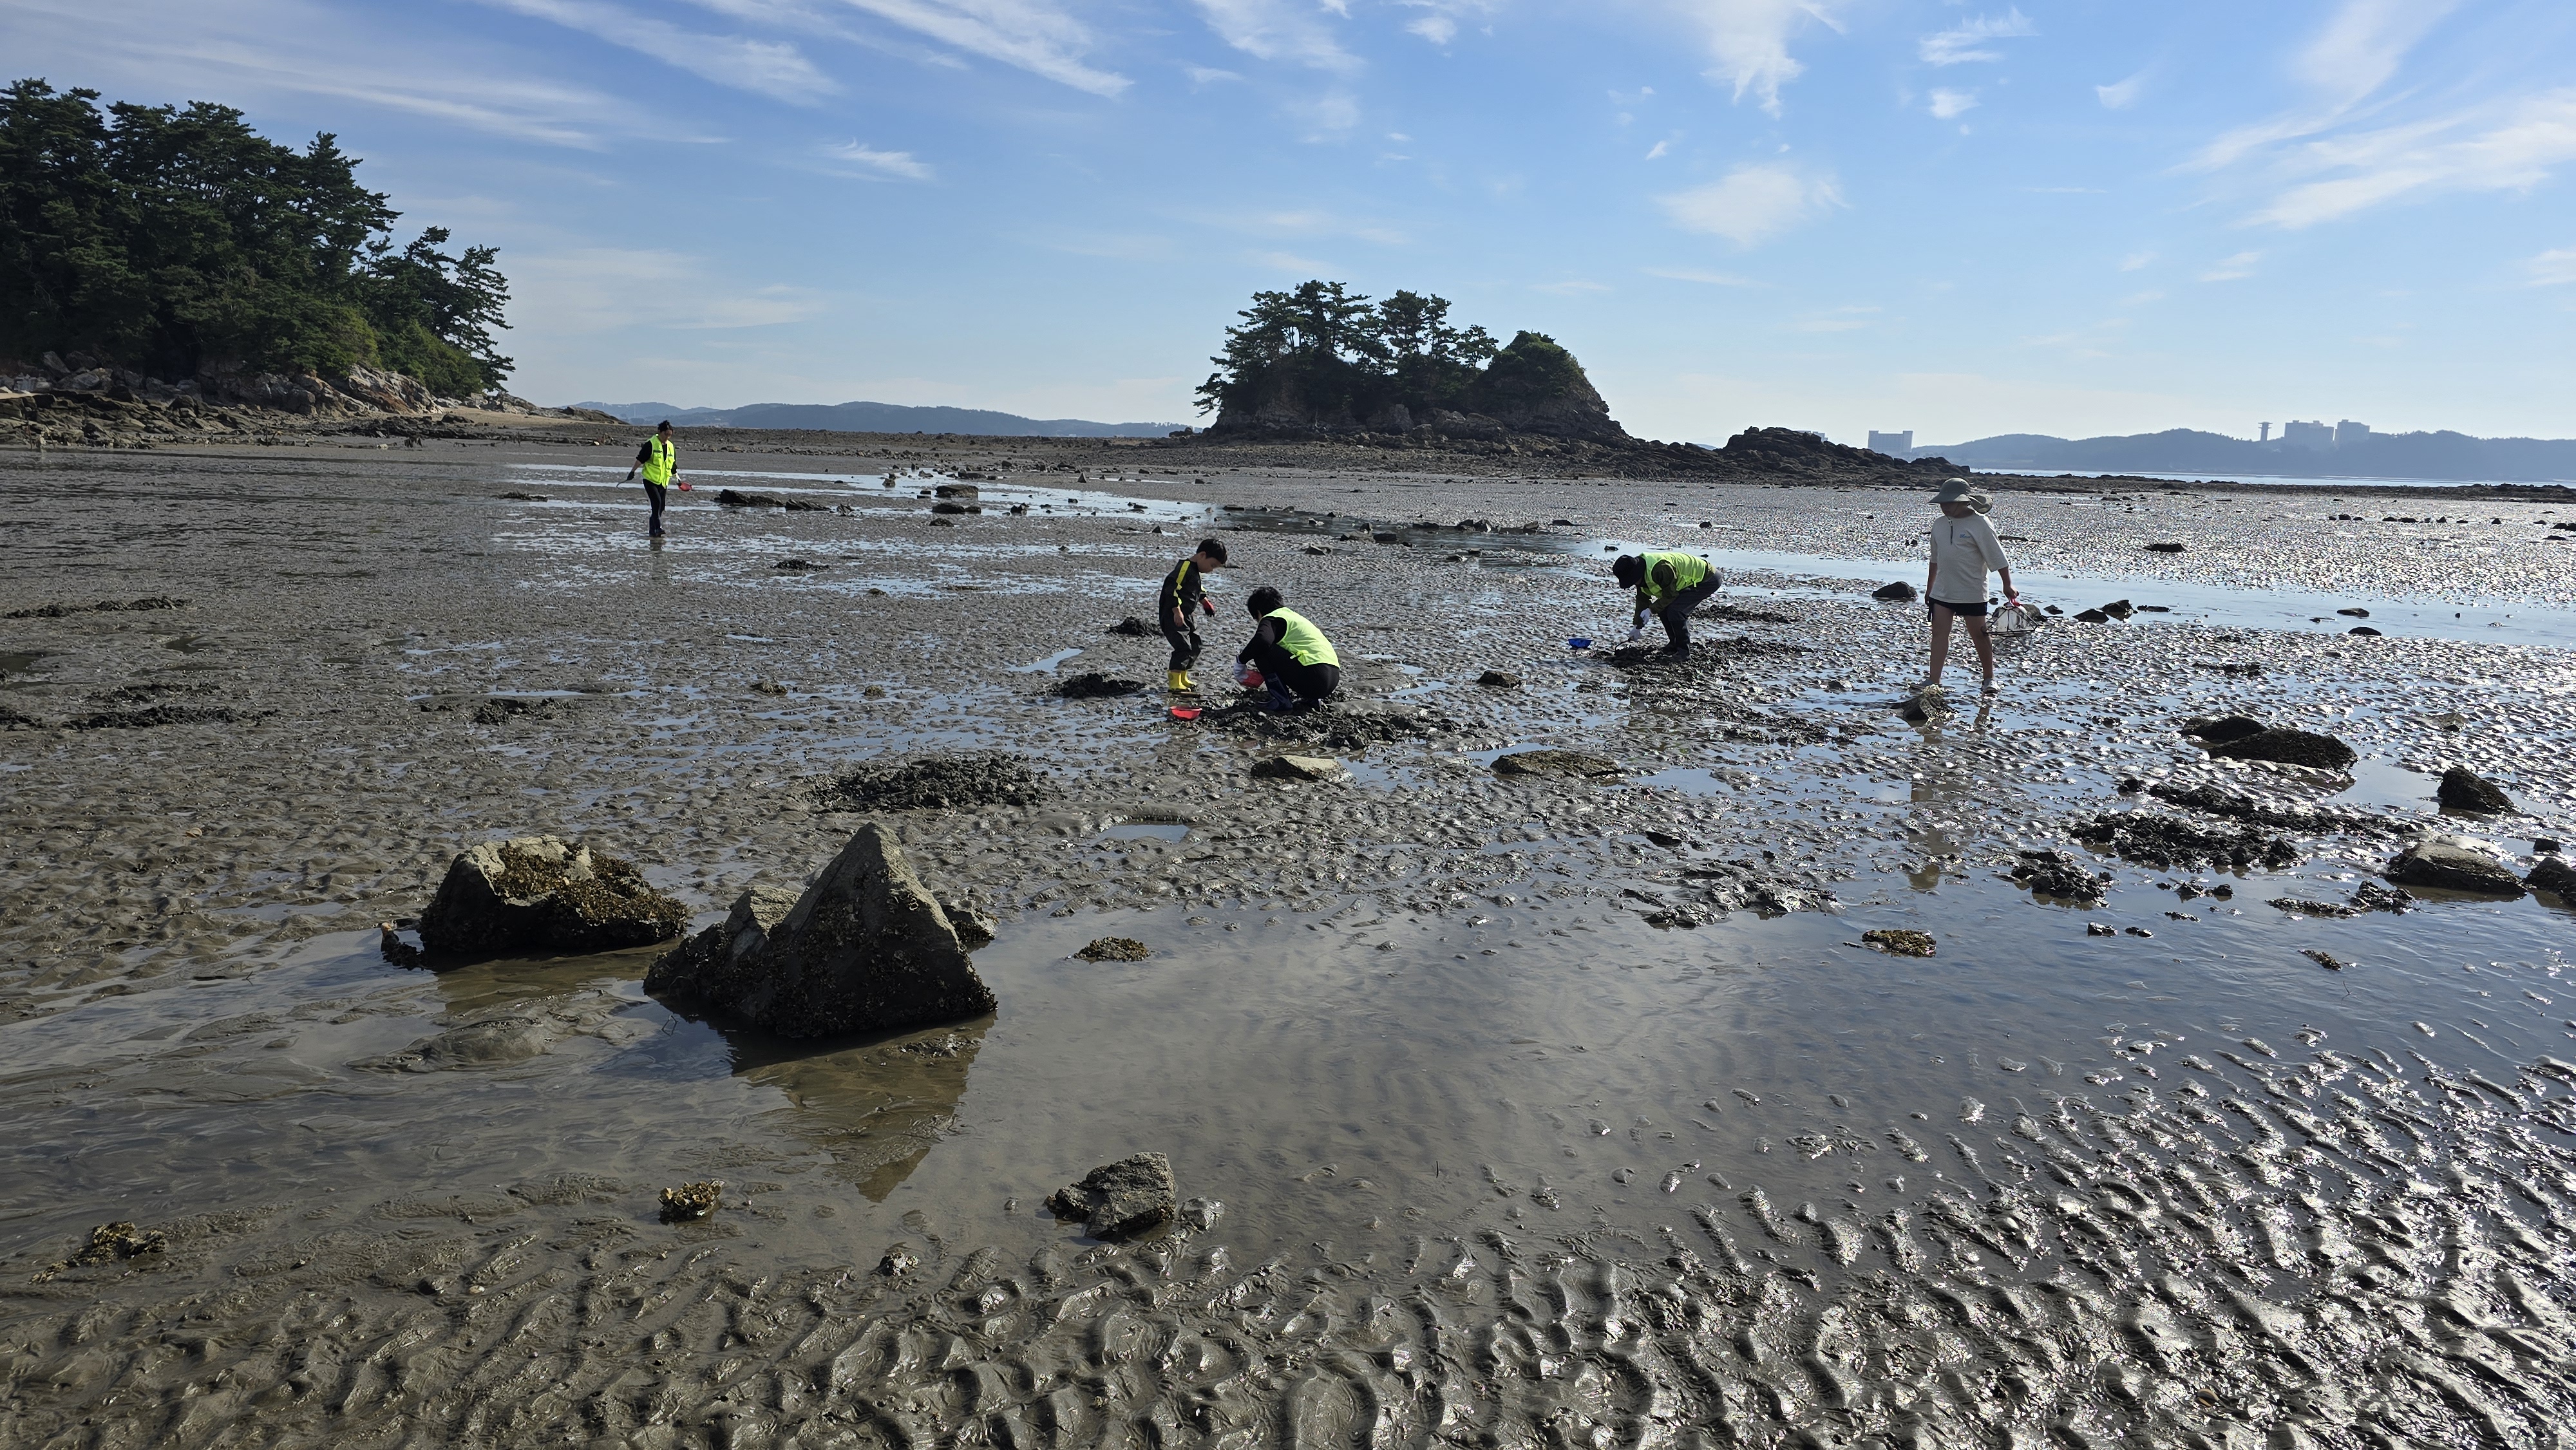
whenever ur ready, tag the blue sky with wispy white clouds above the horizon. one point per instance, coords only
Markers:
(1915, 215)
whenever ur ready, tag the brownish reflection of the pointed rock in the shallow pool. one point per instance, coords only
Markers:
(877, 1109)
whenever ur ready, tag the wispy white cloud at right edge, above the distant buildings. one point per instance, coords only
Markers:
(2515, 153)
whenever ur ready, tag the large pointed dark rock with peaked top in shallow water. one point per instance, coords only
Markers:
(864, 949)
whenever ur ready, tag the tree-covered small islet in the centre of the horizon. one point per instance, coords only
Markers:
(1336, 359)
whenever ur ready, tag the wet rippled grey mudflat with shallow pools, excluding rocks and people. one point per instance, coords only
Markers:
(1482, 1155)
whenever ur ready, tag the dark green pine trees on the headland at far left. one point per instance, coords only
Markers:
(176, 241)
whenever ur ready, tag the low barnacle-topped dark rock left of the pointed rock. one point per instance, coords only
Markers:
(532, 895)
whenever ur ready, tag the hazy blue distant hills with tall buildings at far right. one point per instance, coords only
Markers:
(2191, 452)
